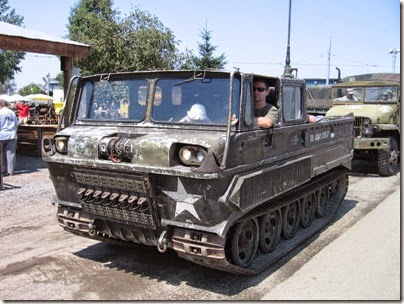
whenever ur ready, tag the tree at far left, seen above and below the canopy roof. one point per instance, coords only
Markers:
(9, 60)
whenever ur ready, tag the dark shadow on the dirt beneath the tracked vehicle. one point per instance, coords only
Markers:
(146, 261)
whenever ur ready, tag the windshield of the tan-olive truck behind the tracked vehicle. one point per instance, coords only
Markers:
(382, 94)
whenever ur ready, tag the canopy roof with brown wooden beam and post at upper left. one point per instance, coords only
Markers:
(16, 38)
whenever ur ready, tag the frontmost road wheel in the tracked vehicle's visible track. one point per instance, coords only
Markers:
(244, 243)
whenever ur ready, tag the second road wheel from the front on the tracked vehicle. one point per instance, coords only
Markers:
(270, 230)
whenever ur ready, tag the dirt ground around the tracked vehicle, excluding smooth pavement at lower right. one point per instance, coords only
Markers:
(39, 261)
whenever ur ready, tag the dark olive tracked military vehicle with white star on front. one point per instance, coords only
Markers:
(172, 159)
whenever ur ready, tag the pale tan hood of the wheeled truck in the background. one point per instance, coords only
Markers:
(379, 114)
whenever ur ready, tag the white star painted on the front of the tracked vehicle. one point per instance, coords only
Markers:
(185, 201)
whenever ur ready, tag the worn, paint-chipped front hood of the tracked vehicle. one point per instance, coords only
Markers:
(147, 147)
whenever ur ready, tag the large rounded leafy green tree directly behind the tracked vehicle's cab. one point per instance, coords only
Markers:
(137, 42)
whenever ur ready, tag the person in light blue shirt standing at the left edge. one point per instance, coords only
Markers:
(8, 137)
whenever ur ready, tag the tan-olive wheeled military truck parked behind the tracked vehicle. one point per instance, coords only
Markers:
(376, 107)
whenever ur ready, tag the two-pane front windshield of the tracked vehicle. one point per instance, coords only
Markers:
(175, 100)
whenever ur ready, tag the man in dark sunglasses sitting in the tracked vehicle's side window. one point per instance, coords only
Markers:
(265, 114)
